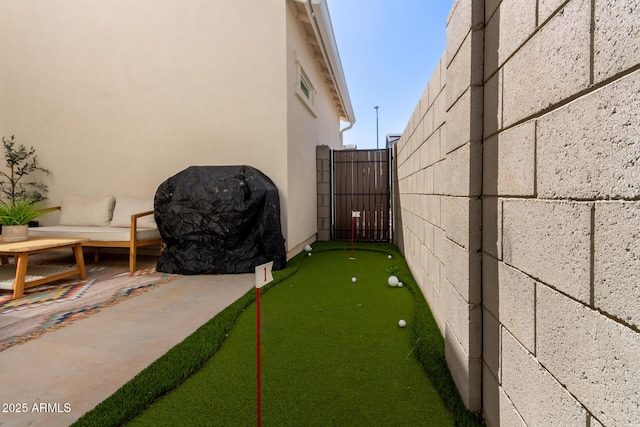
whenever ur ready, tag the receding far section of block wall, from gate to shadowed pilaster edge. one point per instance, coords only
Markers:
(438, 205)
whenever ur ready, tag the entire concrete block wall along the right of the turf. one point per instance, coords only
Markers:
(518, 205)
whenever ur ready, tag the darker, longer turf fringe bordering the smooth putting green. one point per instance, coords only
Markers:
(186, 358)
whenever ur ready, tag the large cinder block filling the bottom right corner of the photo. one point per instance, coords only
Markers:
(595, 357)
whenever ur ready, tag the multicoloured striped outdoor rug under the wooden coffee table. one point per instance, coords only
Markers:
(55, 305)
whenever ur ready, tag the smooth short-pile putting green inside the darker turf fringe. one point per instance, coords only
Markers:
(332, 354)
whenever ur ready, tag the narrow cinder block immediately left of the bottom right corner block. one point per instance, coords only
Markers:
(517, 305)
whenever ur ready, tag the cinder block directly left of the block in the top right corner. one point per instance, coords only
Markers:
(561, 52)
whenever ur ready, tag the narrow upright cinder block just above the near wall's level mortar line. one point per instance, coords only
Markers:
(516, 161)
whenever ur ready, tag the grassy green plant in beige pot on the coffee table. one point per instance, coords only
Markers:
(15, 217)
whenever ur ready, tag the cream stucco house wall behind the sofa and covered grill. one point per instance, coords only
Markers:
(118, 96)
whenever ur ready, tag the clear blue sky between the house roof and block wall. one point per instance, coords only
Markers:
(388, 49)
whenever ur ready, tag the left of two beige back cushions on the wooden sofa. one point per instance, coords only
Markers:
(92, 212)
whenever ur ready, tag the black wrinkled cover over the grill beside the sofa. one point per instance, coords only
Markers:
(219, 220)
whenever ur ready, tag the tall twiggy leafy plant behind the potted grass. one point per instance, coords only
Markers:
(21, 162)
